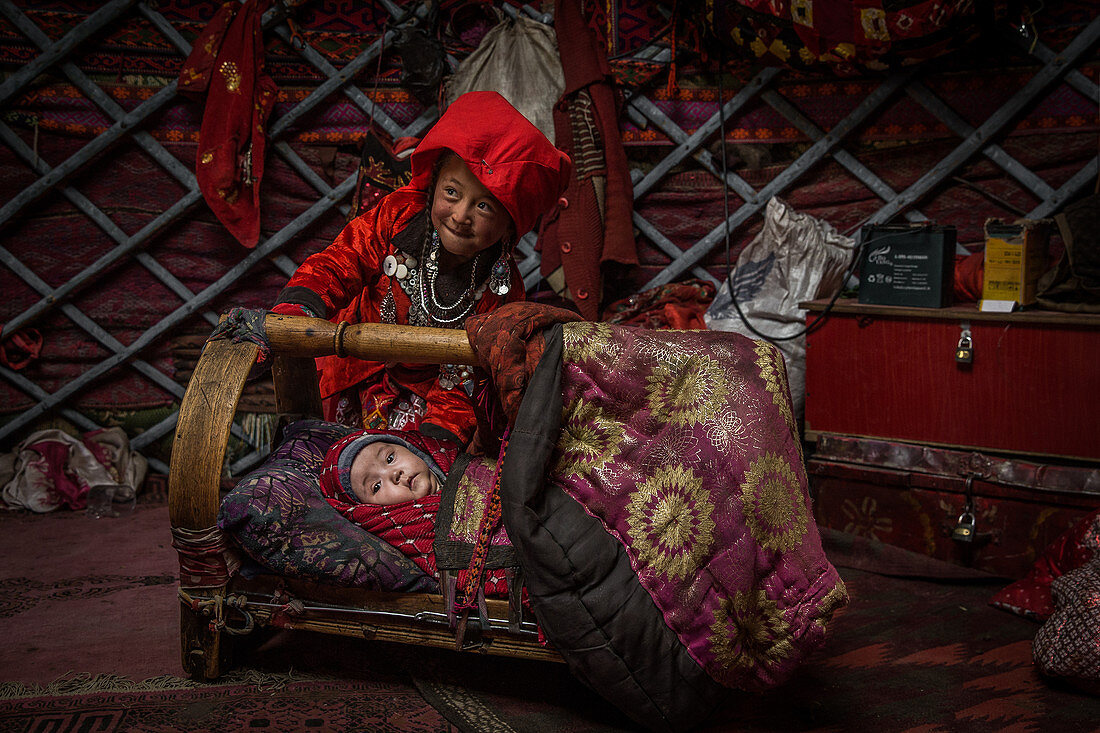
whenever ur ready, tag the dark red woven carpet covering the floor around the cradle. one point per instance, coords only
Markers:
(90, 621)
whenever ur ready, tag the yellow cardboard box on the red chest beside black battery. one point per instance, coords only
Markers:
(1016, 258)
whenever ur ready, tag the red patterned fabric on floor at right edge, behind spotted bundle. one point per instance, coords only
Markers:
(1031, 597)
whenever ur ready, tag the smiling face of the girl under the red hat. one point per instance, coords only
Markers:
(467, 216)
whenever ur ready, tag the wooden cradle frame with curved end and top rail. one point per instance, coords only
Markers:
(222, 610)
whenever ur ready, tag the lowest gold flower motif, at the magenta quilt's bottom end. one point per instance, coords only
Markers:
(750, 631)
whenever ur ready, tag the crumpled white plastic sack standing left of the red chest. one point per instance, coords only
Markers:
(795, 258)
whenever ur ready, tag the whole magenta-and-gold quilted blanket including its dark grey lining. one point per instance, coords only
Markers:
(657, 498)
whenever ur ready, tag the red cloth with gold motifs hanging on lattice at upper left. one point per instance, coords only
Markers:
(227, 68)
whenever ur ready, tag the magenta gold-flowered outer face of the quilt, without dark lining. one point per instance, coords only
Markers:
(684, 446)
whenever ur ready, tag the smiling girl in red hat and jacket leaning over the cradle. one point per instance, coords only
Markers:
(432, 254)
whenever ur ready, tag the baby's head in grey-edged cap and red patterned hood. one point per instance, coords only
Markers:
(386, 467)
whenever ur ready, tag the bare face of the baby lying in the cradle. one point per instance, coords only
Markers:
(387, 474)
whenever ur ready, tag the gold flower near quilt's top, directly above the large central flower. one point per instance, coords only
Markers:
(687, 392)
